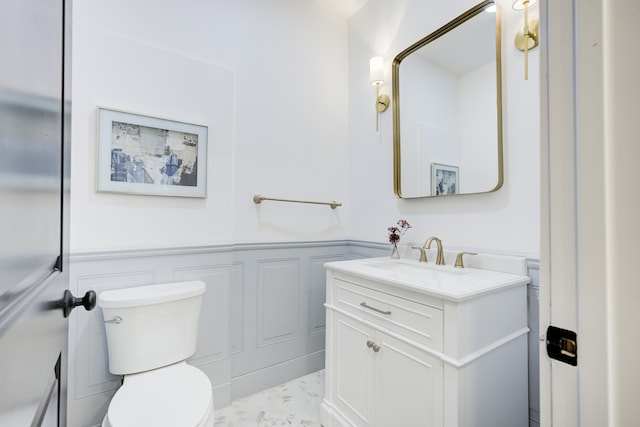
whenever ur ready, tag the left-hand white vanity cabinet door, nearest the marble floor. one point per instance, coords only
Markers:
(353, 373)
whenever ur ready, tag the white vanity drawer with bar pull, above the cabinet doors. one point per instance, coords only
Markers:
(420, 322)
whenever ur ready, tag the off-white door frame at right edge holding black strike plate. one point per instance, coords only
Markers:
(590, 209)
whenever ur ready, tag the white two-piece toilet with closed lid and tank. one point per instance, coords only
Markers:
(151, 331)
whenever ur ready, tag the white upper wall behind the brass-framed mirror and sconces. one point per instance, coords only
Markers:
(504, 221)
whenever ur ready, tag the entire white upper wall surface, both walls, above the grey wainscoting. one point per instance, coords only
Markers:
(284, 91)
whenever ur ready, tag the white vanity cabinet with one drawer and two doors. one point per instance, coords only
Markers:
(399, 354)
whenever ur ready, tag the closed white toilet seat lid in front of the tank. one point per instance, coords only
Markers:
(177, 395)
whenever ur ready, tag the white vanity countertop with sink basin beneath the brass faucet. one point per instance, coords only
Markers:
(444, 281)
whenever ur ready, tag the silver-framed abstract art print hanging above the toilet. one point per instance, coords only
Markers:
(146, 155)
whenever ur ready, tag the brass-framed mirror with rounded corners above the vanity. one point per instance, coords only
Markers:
(447, 119)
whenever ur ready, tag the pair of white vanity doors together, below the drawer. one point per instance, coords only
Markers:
(381, 381)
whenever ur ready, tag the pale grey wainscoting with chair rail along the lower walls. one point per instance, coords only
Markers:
(262, 320)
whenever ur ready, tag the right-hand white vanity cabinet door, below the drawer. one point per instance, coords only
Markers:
(409, 385)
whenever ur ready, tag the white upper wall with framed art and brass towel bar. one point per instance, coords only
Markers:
(269, 81)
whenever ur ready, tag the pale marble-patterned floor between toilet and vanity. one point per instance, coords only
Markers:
(295, 403)
